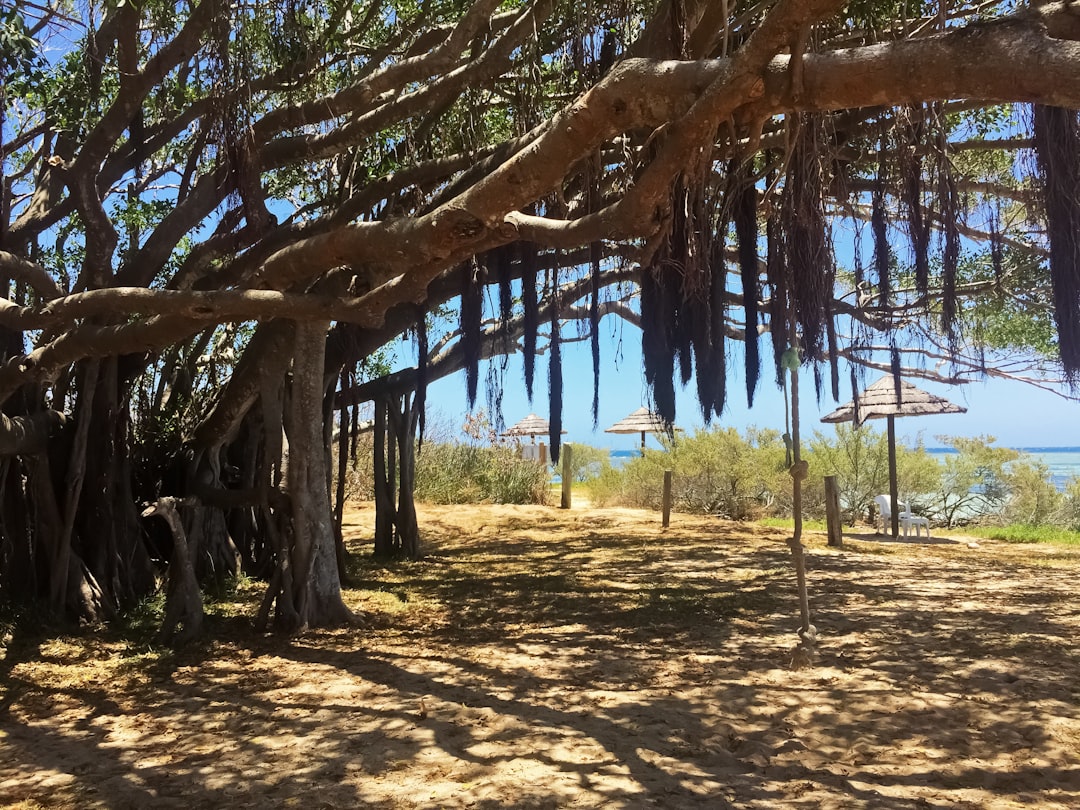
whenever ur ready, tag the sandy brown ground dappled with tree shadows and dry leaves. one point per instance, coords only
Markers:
(545, 658)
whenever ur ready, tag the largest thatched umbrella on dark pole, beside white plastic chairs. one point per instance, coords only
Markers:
(887, 399)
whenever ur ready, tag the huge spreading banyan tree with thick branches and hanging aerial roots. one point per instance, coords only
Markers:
(214, 218)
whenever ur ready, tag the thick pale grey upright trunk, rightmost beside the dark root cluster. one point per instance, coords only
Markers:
(316, 587)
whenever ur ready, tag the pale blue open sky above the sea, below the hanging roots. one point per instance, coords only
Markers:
(1018, 414)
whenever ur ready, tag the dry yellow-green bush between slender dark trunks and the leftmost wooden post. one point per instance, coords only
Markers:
(467, 474)
